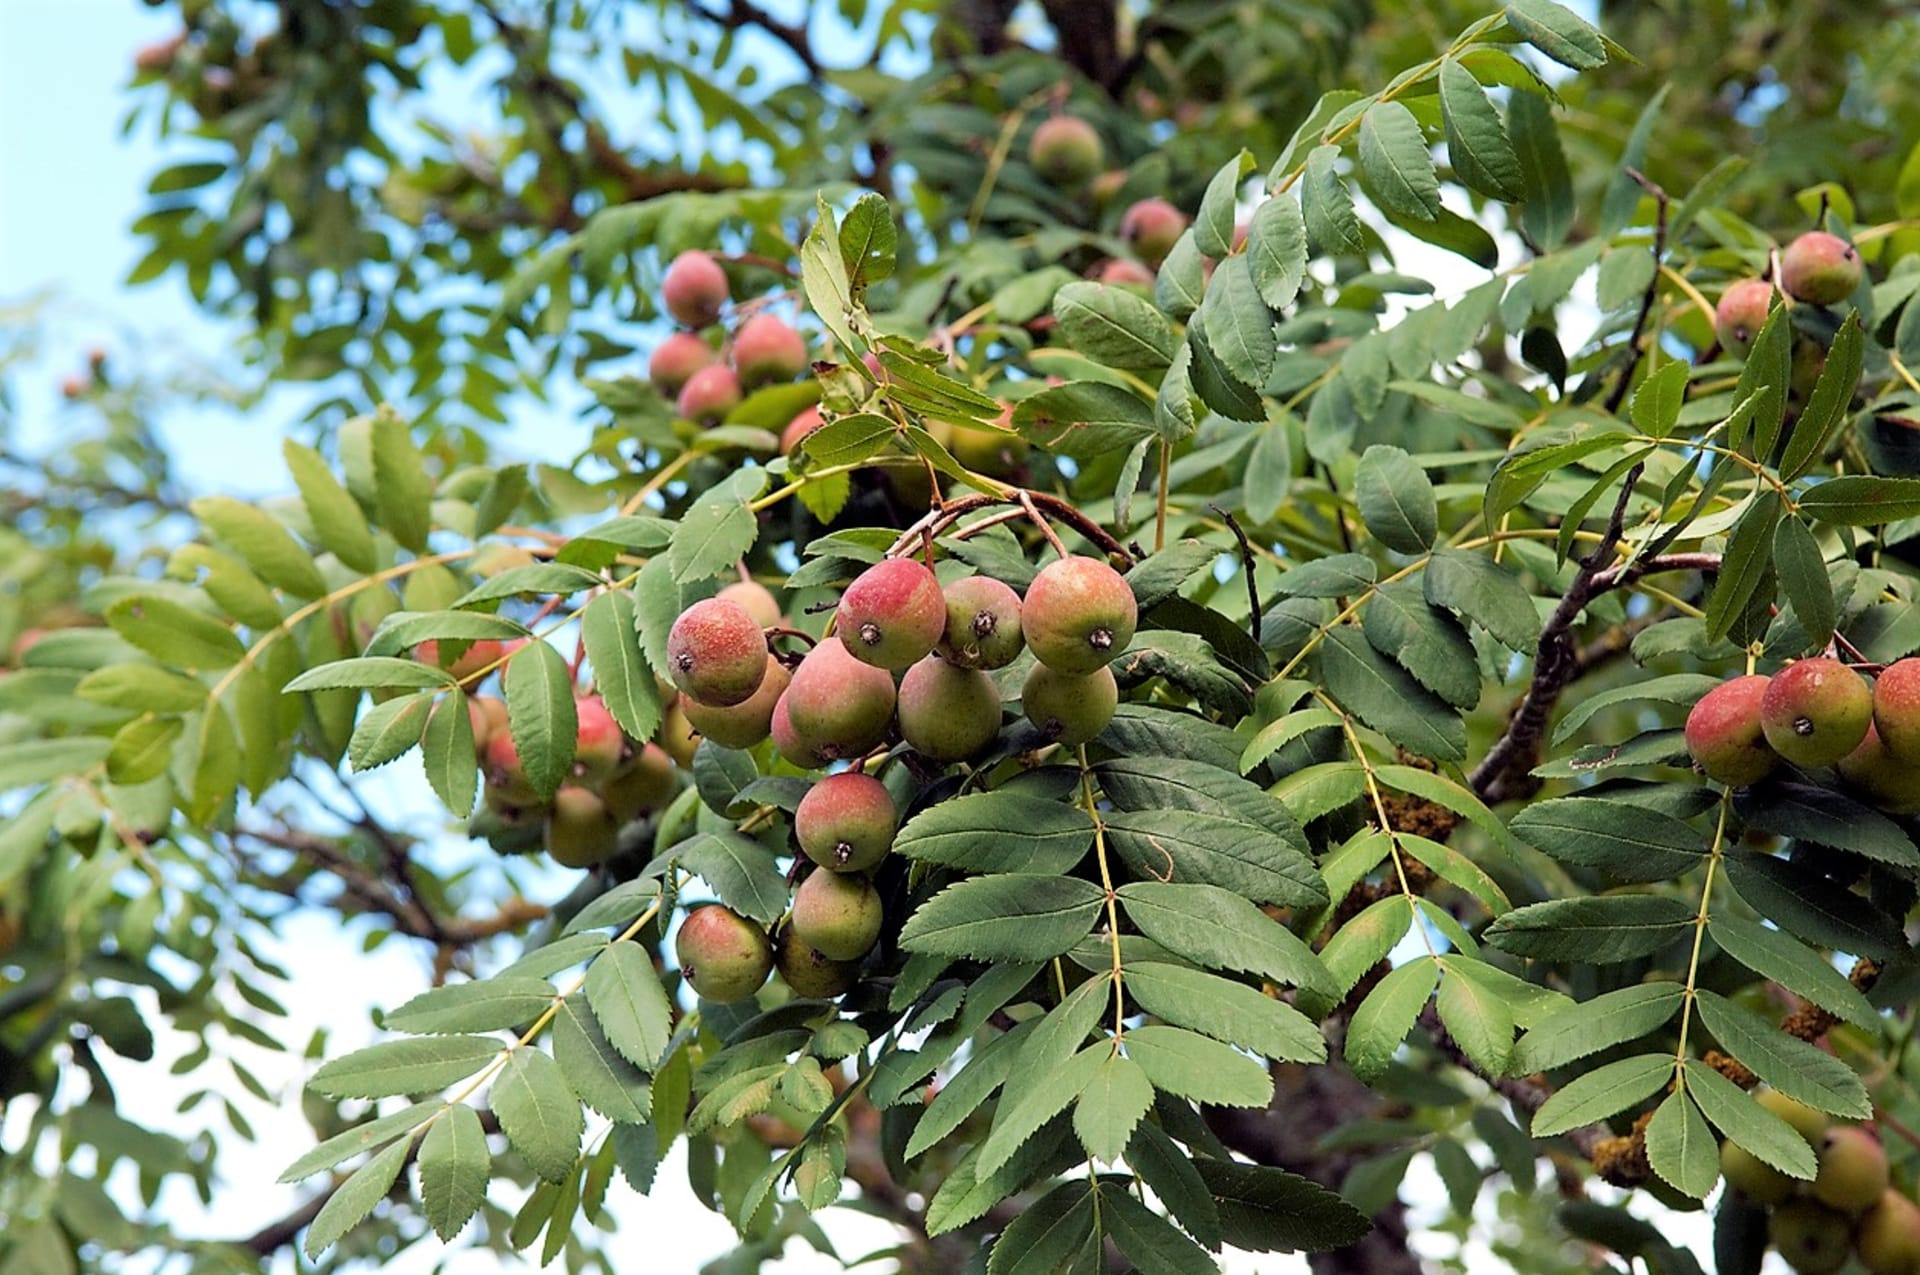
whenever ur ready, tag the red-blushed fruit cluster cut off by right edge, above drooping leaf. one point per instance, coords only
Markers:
(1815, 713)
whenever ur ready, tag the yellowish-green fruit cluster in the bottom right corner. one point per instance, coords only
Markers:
(1850, 1209)
